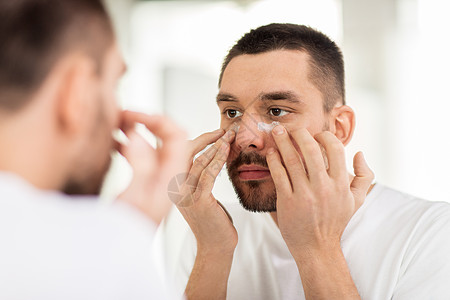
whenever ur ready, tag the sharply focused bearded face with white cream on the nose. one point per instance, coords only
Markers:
(266, 87)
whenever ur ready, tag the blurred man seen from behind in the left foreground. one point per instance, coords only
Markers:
(59, 67)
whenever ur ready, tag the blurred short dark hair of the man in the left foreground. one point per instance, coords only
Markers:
(35, 34)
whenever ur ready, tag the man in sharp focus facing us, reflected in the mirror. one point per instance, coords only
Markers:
(308, 232)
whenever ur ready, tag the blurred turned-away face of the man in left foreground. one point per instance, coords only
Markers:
(102, 119)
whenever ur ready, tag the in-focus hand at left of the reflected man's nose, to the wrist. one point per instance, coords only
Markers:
(208, 220)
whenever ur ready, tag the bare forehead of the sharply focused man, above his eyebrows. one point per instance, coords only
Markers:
(274, 70)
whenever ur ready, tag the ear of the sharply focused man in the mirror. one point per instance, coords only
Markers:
(342, 123)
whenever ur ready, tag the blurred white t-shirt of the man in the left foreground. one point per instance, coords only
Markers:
(57, 247)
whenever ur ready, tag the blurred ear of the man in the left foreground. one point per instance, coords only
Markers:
(76, 82)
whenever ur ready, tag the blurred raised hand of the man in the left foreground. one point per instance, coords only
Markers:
(153, 168)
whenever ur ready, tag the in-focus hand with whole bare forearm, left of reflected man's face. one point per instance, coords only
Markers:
(210, 223)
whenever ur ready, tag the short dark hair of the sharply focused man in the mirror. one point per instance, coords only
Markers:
(326, 59)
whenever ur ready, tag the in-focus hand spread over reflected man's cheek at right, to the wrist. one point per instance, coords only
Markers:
(314, 203)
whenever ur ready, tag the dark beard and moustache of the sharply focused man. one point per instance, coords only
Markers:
(254, 195)
